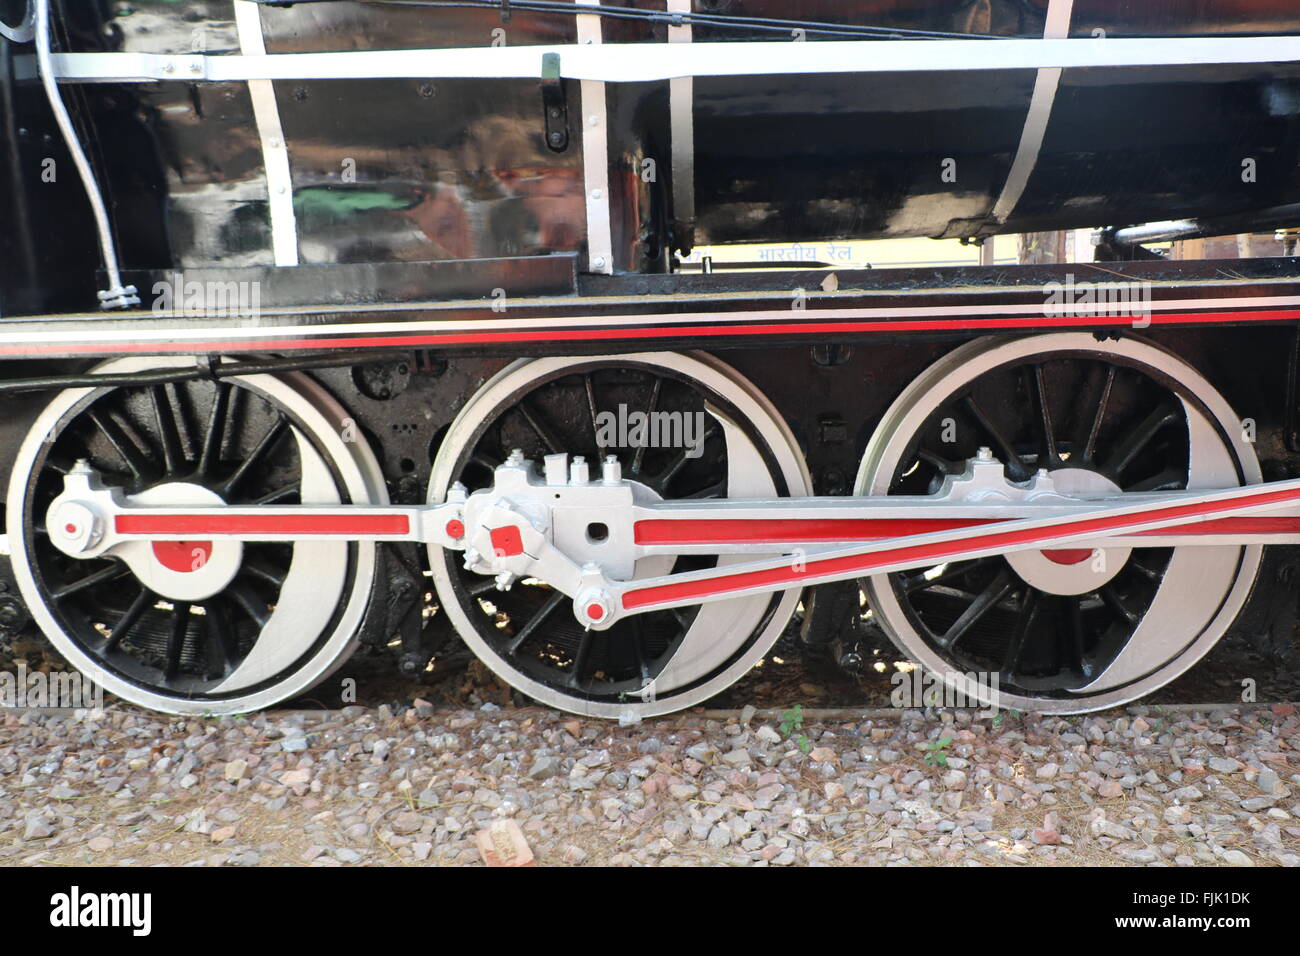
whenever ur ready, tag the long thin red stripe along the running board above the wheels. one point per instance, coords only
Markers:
(656, 332)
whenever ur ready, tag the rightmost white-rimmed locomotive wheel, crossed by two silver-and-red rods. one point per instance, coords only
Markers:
(1065, 633)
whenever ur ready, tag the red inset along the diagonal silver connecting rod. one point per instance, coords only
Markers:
(938, 551)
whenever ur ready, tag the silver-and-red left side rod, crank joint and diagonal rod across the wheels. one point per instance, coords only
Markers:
(508, 534)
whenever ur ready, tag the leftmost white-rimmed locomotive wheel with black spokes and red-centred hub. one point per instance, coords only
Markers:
(239, 628)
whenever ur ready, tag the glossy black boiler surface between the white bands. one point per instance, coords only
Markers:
(436, 171)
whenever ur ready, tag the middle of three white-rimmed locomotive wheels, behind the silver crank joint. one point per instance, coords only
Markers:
(651, 664)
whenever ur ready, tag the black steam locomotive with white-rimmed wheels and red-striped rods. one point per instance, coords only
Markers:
(344, 322)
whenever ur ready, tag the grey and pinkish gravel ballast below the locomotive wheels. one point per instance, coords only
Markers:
(414, 788)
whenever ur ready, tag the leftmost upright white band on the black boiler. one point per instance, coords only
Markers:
(275, 152)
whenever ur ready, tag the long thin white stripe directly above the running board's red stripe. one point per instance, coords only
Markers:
(500, 325)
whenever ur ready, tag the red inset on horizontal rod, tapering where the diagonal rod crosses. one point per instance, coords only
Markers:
(684, 531)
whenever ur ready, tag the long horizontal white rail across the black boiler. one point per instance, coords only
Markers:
(636, 63)
